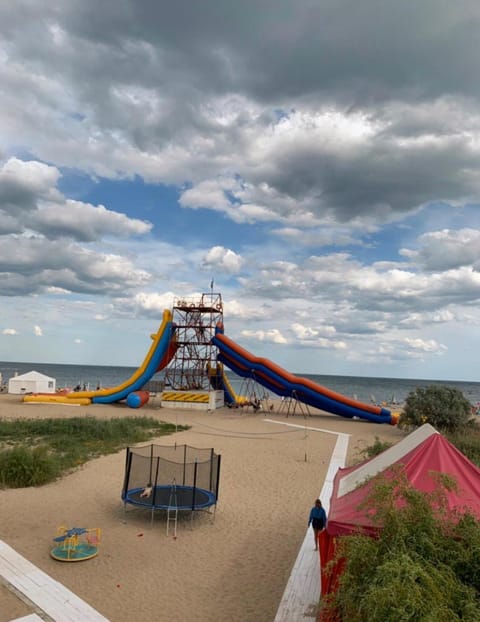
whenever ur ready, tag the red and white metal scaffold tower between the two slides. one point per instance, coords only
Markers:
(195, 322)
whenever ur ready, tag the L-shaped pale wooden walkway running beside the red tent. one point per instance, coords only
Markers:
(302, 594)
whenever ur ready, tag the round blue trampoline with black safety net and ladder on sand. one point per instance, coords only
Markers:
(176, 478)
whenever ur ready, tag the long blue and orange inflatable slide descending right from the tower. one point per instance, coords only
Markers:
(285, 384)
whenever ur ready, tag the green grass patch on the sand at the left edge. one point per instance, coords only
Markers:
(38, 451)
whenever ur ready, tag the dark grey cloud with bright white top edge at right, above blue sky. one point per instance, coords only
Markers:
(383, 175)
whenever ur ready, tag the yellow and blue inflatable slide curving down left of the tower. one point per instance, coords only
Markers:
(161, 352)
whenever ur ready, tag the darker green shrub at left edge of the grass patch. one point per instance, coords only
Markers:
(23, 466)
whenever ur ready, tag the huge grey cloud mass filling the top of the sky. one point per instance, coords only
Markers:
(127, 87)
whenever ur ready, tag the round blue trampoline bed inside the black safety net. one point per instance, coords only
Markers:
(172, 497)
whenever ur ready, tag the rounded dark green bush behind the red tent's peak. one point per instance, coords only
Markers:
(445, 408)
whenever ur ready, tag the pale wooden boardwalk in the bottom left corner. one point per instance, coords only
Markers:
(53, 601)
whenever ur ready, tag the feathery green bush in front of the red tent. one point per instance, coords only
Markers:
(423, 567)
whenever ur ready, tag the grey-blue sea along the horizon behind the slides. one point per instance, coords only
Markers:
(389, 391)
